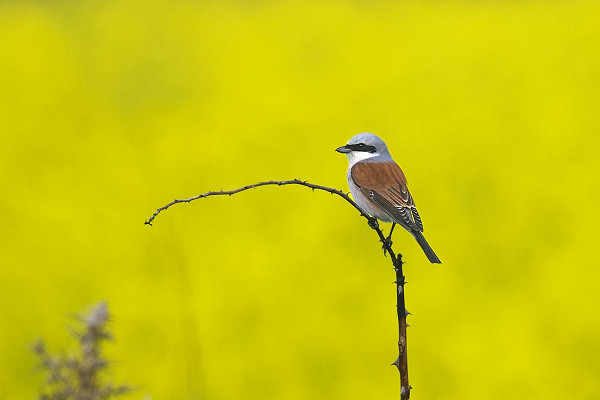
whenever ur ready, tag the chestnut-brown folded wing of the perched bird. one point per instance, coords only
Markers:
(385, 184)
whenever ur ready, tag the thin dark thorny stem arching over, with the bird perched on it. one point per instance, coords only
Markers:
(401, 362)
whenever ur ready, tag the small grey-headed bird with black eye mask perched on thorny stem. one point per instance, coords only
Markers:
(379, 187)
